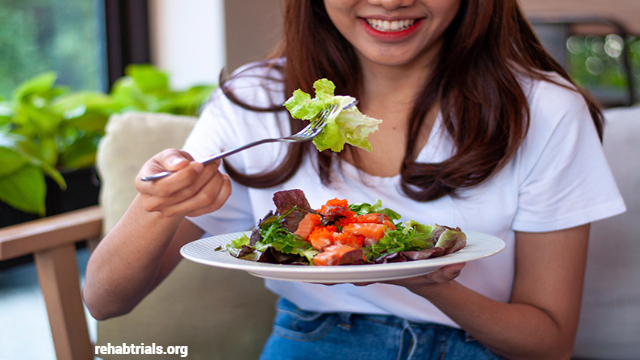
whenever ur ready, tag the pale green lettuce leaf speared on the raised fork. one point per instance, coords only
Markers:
(344, 126)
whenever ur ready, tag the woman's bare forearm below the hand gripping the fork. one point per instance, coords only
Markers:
(124, 267)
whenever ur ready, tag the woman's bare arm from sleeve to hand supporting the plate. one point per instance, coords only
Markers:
(540, 321)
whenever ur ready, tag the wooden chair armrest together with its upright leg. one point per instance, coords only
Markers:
(52, 242)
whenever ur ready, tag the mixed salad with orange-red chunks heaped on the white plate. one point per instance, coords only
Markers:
(339, 233)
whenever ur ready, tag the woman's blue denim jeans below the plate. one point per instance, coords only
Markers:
(299, 334)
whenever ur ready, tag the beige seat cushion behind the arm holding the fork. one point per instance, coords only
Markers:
(217, 313)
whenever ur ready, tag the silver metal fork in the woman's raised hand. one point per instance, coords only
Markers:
(309, 132)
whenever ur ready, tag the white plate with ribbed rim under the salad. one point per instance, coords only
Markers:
(203, 251)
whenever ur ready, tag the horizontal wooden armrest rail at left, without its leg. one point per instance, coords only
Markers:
(50, 232)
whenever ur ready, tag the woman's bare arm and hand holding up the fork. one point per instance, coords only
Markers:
(143, 247)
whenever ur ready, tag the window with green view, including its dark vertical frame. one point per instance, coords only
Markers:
(88, 43)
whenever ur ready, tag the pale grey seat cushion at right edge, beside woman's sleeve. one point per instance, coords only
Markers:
(610, 319)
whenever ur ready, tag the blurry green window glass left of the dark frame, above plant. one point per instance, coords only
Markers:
(40, 35)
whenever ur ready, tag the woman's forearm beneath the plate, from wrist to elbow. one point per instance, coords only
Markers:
(515, 331)
